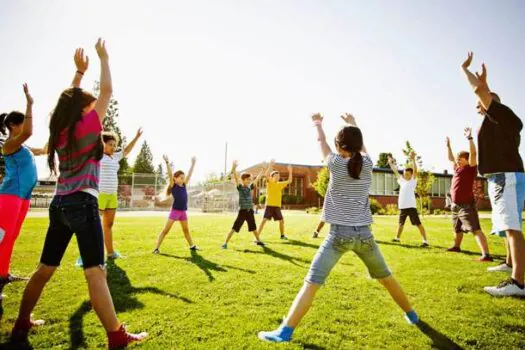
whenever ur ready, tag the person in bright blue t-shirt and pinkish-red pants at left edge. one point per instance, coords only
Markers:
(17, 185)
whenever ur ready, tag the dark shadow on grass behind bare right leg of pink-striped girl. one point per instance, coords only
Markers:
(124, 299)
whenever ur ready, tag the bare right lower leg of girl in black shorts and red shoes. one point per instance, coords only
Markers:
(101, 298)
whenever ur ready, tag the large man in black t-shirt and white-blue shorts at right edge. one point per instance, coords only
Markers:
(500, 162)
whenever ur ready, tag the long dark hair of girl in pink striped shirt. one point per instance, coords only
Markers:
(65, 116)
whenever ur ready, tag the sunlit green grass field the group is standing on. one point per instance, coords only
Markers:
(220, 299)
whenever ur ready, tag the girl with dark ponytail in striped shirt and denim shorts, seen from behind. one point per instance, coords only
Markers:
(347, 209)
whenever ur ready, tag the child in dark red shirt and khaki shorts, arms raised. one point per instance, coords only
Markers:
(465, 216)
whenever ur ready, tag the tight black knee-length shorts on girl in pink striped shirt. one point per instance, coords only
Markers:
(77, 214)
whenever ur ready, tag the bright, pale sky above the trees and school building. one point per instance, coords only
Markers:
(196, 74)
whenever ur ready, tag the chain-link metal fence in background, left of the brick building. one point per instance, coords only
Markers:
(146, 192)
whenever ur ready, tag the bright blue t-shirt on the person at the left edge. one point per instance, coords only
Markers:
(20, 174)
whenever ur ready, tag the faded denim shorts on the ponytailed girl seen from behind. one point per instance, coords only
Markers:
(340, 240)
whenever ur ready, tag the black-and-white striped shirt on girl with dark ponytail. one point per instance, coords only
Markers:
(346, 201)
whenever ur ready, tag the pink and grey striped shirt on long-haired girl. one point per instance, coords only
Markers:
(81, 173)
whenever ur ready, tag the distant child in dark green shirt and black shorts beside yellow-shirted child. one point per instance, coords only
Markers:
(245, 188)
